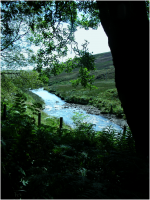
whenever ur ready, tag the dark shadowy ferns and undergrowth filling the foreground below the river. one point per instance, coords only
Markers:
(45, 162)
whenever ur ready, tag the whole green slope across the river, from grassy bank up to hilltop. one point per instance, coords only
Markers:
(105, 97)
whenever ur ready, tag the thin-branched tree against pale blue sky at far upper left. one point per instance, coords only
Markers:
(15, 27)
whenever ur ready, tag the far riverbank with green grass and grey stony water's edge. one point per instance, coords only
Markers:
(99, 105)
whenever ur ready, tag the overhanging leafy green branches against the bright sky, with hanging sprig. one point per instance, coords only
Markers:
(43, 28)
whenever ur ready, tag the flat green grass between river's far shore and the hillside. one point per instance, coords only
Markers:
(105, 97)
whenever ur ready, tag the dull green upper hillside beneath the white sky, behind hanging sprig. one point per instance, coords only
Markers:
(104, 70)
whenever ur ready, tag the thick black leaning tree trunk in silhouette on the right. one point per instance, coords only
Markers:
(127, 28)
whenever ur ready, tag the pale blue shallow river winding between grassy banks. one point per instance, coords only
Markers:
(55, 106)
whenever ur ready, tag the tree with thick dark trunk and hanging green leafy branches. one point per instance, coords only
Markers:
(128, 44)
